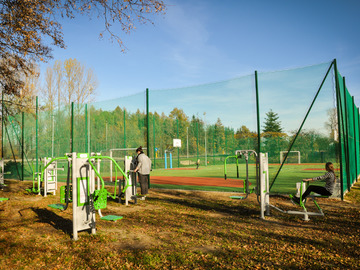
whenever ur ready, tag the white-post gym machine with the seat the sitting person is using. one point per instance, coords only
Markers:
(265, 195)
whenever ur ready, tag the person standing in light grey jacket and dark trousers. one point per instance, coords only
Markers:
(143, 169)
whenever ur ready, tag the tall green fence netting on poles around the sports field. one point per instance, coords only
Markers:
(318, 118)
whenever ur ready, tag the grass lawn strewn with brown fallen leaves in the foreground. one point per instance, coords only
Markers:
(175, 229)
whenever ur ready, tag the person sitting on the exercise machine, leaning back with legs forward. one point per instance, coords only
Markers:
(327, 190)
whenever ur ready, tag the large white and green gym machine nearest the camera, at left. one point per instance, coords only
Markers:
(81, 190)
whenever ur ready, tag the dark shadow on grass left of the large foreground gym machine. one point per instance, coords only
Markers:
(58, 222)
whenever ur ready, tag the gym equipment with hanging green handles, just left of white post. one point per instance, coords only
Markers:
(246, 154)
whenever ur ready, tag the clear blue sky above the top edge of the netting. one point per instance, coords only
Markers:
(203, 41)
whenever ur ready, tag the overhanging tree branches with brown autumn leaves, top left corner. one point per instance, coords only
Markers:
(29, 26)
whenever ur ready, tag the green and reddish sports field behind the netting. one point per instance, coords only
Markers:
(212, 177)
